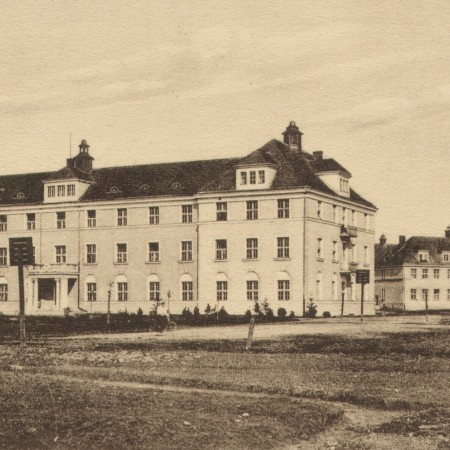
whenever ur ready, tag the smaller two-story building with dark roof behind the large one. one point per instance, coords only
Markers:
(413, 275)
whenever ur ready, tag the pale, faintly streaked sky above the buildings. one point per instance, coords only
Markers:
(368, 83)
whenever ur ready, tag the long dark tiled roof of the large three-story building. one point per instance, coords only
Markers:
(179, 178)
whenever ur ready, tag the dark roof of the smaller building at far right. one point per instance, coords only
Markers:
(407, 253)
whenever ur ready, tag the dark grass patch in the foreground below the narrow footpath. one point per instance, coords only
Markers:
(36, 414)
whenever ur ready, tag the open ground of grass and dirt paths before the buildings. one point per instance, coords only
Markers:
(384, 384)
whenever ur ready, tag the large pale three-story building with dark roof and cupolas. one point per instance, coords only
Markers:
(279, 224)
